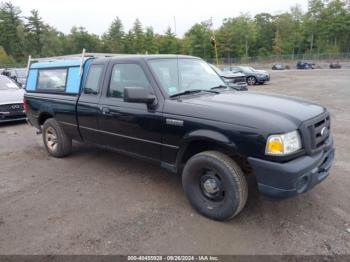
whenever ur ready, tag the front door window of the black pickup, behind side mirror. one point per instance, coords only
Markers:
(127, 75)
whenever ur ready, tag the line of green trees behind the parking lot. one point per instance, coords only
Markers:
(323, 27)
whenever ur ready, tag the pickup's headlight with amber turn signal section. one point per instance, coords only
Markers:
(281, 145)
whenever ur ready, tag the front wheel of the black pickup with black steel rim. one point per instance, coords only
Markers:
(232, 185)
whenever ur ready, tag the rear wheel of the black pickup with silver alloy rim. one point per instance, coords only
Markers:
(57, 143)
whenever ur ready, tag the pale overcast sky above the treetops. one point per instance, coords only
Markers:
(97, 15)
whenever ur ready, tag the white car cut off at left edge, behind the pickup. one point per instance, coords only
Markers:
(11, 101)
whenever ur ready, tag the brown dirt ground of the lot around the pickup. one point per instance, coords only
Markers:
(99, 202)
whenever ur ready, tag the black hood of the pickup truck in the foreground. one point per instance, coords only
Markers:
(270, 112)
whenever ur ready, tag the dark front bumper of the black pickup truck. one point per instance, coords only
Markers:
(283, 180)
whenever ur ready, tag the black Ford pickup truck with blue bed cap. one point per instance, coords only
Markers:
(178, 113)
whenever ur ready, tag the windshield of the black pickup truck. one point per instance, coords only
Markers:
(180, 75)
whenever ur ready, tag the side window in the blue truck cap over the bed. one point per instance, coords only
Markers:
(52, 80)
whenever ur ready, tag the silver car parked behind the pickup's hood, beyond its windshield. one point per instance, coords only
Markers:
(253, 76)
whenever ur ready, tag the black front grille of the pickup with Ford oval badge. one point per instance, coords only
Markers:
(320, 132)
